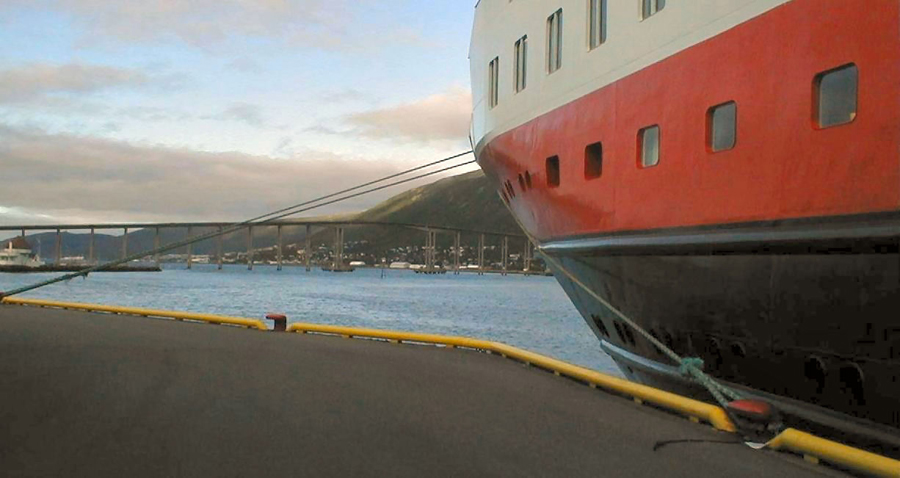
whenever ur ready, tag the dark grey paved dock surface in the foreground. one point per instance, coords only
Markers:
(85, 394)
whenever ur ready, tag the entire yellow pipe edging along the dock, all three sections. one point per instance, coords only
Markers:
(813, 448)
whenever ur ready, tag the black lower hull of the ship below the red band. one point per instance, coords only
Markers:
(804, 310)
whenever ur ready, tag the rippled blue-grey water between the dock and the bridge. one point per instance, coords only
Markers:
(528, 312)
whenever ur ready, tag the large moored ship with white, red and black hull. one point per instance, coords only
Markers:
(724, 173)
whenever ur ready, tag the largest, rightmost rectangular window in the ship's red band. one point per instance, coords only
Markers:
(836, 96)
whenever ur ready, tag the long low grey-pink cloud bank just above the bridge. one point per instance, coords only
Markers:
(90, 179)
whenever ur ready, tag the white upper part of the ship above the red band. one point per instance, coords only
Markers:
(629, 42)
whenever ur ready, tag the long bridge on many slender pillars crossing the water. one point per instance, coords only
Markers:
(430, 231)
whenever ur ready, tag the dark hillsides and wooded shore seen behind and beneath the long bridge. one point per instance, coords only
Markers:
(465, 201)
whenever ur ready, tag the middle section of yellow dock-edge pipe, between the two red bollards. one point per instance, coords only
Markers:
(692, 408)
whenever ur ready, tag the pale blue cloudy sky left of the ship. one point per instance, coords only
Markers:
(213, 110)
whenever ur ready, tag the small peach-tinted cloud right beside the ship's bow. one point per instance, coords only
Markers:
(443, 116)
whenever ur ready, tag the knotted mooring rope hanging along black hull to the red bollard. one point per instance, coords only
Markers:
(691, 367)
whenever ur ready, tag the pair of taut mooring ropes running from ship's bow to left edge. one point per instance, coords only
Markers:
(260, 220)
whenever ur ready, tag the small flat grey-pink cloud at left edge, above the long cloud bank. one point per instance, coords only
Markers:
(42, 81)
